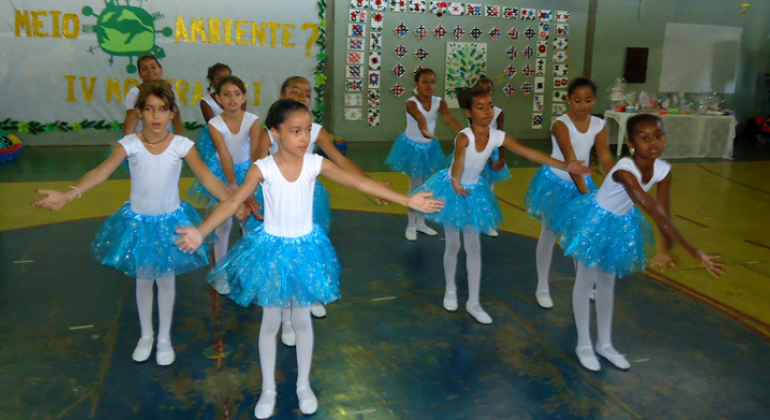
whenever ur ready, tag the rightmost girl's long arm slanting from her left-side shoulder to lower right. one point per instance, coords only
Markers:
(663, 221)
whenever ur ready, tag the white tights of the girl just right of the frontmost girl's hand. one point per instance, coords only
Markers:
(472, 262)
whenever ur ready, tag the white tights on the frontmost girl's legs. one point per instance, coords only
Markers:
(268, 346)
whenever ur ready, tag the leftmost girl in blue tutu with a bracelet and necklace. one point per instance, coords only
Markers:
(139, 238)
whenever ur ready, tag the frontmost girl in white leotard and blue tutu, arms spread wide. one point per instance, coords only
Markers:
(288, 261)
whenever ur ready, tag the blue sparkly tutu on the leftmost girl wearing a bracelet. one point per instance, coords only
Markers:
(143, 246)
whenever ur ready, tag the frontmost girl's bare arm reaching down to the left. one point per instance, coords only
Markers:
(193, 237)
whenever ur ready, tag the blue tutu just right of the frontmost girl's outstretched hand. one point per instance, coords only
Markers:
(478, 211)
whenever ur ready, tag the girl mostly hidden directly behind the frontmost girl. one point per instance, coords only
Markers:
(299, 89)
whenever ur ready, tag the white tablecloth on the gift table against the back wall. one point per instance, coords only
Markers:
(688, 136)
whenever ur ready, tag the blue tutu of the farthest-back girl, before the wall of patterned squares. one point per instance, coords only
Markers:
(418, 160)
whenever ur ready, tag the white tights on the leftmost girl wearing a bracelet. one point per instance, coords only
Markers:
(166, 297)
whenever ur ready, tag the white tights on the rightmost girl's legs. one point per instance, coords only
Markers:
(605, 296)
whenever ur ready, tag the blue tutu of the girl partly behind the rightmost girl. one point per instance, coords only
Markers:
(547, 194)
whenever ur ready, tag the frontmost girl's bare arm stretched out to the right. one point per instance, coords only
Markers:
(420, 201)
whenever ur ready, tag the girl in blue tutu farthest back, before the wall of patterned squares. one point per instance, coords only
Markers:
(416, 152)
